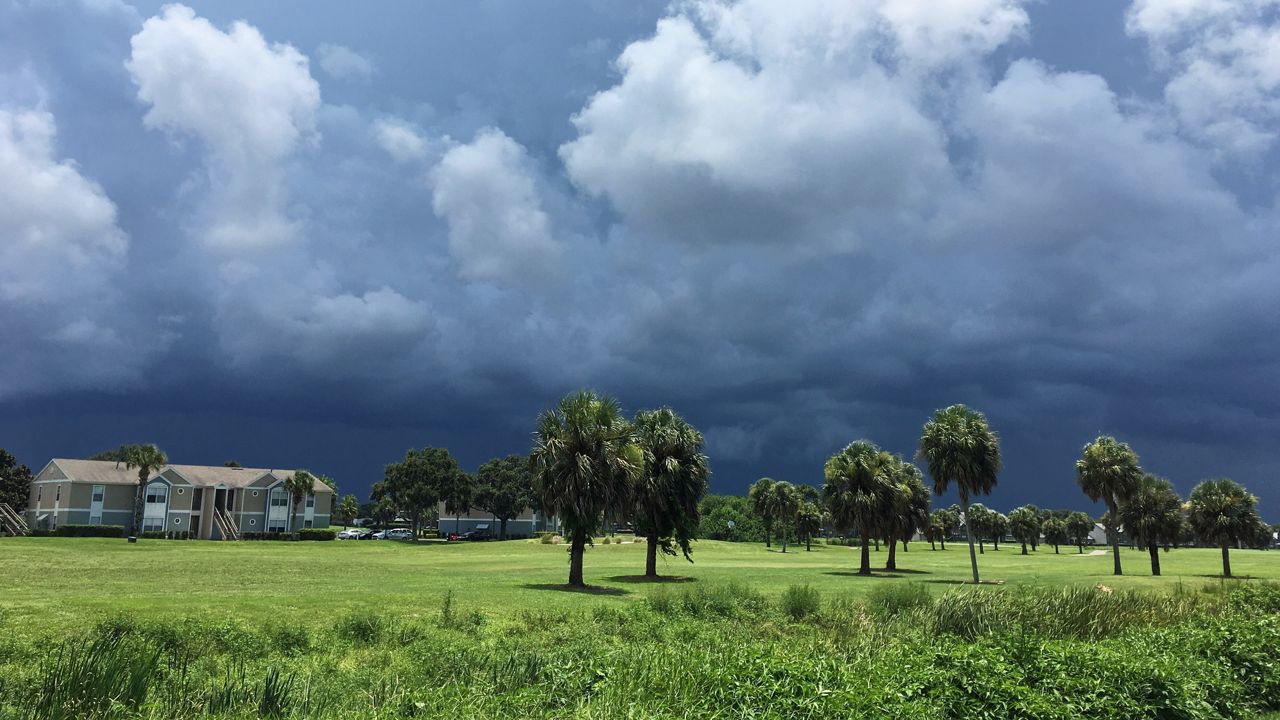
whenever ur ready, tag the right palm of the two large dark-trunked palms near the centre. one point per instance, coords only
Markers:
(673, 485)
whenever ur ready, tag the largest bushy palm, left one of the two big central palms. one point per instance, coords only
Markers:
(584, 463)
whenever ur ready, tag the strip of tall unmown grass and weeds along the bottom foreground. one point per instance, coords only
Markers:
(697, 650)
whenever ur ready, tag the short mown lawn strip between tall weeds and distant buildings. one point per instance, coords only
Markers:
(79, 581)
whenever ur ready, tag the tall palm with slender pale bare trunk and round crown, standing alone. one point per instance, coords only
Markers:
(961, 449)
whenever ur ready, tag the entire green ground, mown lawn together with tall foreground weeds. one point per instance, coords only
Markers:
(102, 630)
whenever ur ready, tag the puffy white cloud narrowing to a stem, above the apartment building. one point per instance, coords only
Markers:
(250, 103)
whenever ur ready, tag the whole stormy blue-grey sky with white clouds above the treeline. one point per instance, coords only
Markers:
(318, 234)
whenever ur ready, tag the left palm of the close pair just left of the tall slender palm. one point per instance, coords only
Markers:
(858, 489)
